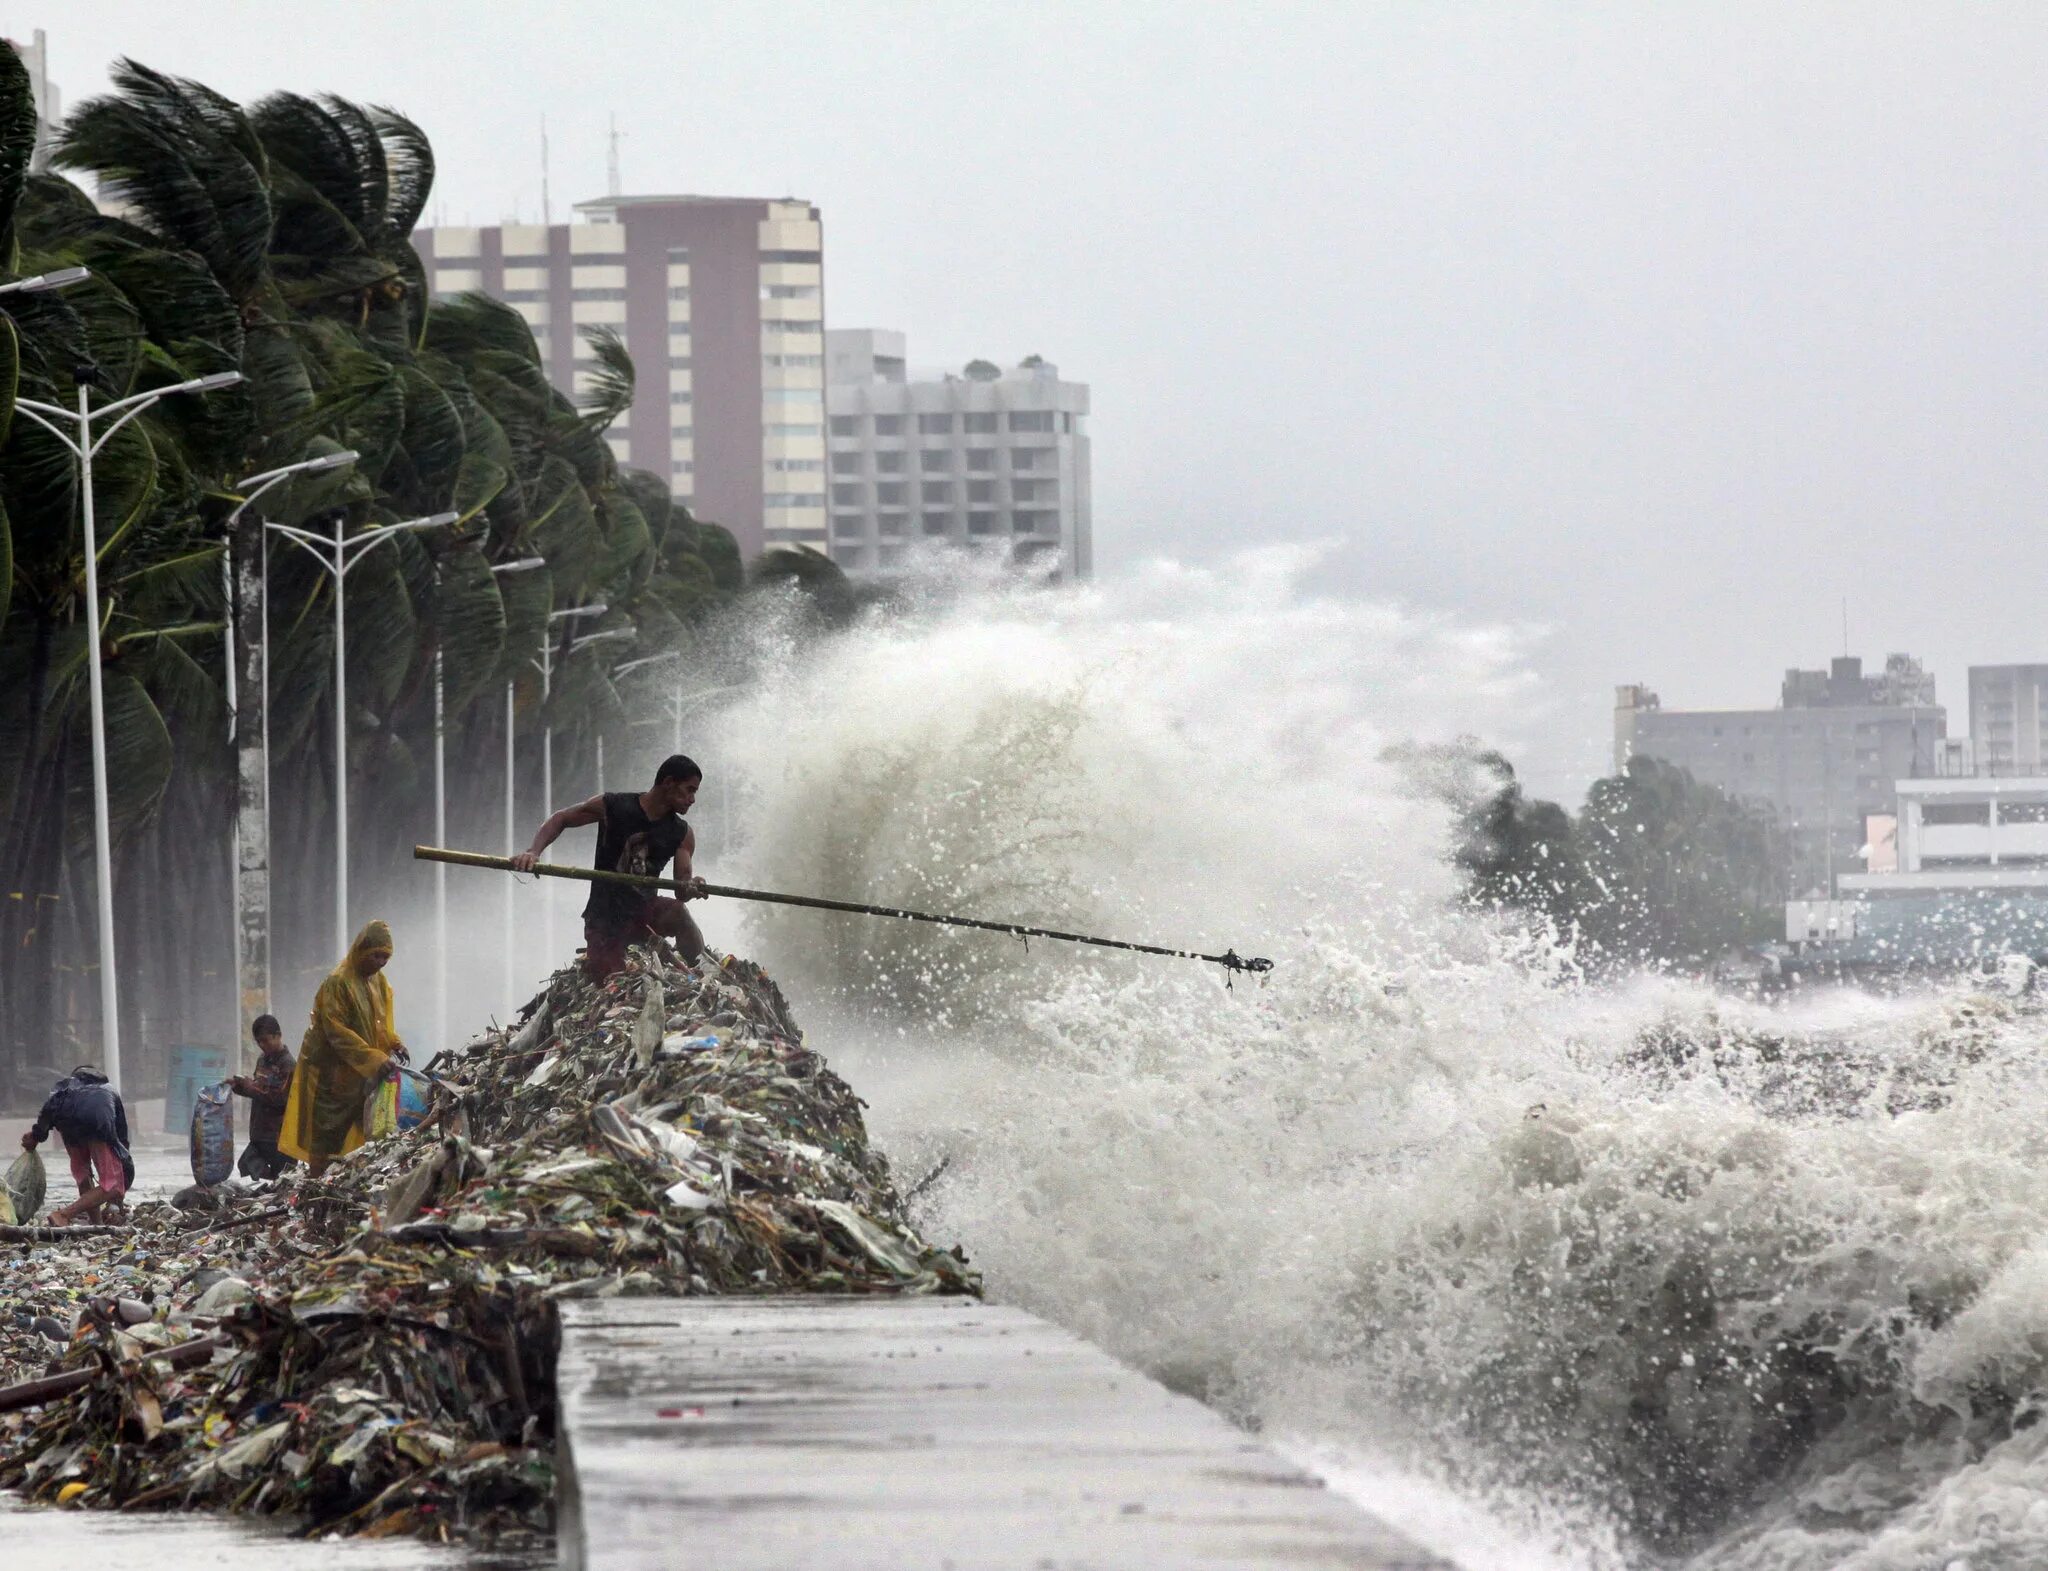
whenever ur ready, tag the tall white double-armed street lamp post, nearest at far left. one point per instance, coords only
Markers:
(85, 448)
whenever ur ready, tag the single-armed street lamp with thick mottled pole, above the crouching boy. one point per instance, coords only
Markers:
(249, 734)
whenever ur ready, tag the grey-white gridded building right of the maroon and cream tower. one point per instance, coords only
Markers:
(984, 458)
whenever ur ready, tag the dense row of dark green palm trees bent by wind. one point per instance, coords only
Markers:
(278, 243)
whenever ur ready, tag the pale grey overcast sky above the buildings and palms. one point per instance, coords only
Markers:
(1662, 329)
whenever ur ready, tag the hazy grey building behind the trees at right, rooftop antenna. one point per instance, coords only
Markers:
(1824, 761)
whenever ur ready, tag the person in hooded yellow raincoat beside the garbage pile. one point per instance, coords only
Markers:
(349, 1046)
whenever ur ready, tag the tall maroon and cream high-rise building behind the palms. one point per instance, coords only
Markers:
(722, 306)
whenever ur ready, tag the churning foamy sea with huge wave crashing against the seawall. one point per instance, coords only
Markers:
(1553, 1275)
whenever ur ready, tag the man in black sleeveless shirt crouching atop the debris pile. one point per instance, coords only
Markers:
(638, 833)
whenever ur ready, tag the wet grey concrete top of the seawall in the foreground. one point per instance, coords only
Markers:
(908, 1435)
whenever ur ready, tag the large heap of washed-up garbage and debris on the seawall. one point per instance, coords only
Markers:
(388, 1334)
